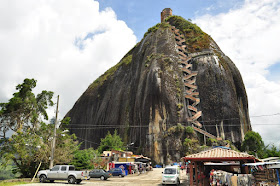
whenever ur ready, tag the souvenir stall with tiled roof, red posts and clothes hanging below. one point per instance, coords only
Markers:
(219, 166)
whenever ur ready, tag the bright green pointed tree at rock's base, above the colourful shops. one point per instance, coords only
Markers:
(111, 142)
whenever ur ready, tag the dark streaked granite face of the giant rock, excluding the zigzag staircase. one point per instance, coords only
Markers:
(143, 96)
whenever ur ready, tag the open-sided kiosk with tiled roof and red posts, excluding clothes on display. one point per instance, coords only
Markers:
(200, 164)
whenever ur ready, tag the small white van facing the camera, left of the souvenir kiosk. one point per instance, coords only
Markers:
(171, 175)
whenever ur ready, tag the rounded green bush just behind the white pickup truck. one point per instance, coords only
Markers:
(86, 159)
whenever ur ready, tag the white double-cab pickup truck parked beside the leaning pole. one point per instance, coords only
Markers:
(63, 172)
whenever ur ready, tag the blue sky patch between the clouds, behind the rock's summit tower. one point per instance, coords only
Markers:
(141, 15)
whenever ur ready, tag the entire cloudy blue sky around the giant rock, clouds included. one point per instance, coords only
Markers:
(67, 44)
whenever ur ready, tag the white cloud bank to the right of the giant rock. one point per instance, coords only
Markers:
(249, 35)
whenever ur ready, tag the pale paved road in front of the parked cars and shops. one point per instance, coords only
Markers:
(148, 178)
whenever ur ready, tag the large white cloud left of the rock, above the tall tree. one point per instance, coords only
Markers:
(65, 45)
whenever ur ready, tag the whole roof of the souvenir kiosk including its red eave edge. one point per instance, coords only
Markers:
(219, 154)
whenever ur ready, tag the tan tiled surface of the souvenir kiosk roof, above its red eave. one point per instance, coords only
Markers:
(219, 153)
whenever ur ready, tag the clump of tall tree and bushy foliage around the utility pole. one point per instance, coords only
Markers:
(30, 143)
